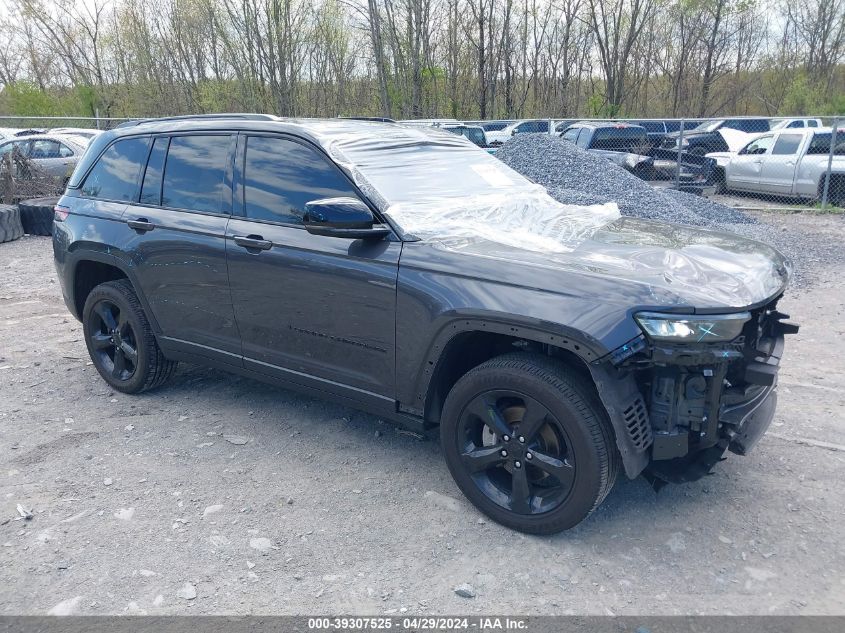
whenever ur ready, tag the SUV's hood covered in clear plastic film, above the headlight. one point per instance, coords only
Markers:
(642, 262)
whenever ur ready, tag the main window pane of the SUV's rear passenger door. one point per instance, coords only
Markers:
(195, 173)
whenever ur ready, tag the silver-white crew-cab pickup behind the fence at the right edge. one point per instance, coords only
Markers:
(787, 162)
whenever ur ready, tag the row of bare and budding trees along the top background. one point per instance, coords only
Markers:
(464, 59)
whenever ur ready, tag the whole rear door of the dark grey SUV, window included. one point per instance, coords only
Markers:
(181, 253)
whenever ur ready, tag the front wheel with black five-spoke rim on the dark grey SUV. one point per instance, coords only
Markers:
(573, 437)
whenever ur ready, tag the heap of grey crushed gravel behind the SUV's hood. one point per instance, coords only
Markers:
(573, 176)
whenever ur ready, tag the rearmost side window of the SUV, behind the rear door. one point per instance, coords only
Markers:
(115, 175)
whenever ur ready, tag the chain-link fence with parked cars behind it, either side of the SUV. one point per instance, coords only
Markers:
(751, 163)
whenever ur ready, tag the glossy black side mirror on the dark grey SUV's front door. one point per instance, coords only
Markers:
(341, 217)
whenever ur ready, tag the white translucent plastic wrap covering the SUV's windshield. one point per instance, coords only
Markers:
(438, 186)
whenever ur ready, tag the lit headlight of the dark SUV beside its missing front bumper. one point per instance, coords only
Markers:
(682, 328)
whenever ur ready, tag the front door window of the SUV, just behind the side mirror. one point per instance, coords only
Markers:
(280, 176)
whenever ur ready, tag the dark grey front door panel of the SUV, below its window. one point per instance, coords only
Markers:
(320, 307)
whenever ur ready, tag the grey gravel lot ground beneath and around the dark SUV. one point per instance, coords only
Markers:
(144, 504)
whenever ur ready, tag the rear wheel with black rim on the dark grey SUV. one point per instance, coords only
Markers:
(114, 323)
